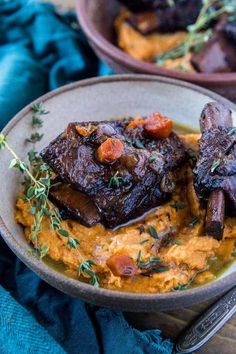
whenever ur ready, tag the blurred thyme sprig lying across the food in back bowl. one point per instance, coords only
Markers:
(197, 35)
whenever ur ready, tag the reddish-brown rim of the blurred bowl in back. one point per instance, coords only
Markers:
(119, 56)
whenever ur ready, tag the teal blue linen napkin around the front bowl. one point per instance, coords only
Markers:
(39, 51)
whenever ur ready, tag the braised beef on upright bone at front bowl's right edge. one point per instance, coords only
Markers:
(216, 164)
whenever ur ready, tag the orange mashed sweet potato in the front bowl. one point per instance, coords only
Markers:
(187, 256)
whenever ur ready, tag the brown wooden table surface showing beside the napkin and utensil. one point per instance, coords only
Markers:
(172, 323)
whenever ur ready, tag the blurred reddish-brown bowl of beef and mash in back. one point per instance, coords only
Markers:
(188, 40)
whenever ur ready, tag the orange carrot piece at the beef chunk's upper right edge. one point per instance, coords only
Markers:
(158, 126)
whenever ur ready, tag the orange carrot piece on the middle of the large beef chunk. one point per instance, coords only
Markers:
(110, 150)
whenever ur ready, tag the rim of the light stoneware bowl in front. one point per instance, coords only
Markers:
(140, 301)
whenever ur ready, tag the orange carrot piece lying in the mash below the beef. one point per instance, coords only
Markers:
(122, 265)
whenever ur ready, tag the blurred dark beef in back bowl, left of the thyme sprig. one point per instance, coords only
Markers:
(169, 19)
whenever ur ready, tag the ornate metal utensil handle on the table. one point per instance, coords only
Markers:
(208, 324)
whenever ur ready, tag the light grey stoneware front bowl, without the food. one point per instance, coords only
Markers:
(98, 99)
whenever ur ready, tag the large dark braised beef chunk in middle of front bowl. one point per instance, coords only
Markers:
(136, 182)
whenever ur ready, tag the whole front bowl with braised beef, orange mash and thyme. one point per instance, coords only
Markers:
(117, 205)
